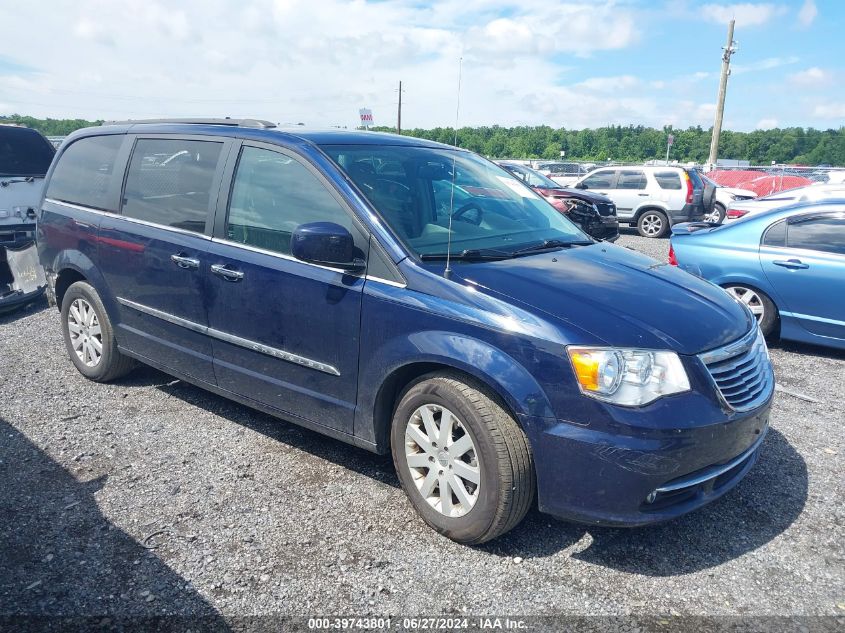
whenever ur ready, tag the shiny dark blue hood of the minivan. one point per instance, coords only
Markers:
(621, 297)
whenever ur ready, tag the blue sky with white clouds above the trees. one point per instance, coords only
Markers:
(530, 62)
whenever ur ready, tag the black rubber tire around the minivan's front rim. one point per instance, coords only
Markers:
(504, 461)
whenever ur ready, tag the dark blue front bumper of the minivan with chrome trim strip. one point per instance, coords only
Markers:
(641, 475)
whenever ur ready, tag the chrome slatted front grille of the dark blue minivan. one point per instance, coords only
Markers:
(742, 371)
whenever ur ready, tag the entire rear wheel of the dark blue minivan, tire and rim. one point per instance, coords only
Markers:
(89, 337)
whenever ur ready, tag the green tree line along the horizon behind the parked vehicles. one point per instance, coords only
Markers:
(631, 143)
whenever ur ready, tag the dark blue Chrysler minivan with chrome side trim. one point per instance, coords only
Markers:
(411, 297)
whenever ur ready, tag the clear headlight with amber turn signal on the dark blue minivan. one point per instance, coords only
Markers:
(629, 377)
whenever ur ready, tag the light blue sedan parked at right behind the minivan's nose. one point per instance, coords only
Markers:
(787, 265)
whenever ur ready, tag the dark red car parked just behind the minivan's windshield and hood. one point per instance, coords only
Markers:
(593, 212)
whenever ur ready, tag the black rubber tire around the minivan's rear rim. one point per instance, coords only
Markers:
(111, 364)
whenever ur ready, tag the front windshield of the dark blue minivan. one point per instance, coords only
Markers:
(422, 193)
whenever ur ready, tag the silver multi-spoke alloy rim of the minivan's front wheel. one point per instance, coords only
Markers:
(443, 460)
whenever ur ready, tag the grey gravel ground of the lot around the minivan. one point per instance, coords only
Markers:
(150, 496)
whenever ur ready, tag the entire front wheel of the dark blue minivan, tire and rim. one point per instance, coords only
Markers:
(463, 461)
